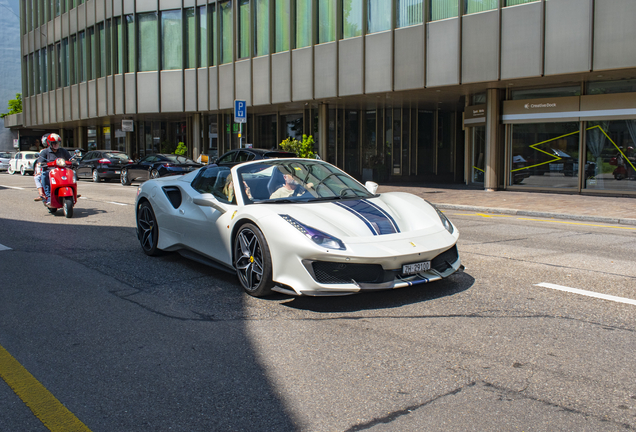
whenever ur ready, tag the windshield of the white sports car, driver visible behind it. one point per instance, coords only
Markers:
(298, 180)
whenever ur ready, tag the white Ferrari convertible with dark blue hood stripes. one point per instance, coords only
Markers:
(297, 226)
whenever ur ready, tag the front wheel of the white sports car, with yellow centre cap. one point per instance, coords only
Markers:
(253, 261)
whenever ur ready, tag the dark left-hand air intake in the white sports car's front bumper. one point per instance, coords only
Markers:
(341, 273)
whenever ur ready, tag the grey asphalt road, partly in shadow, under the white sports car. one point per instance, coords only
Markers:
(132, 343)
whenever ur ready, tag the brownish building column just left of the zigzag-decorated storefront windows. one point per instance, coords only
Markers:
(493, 139)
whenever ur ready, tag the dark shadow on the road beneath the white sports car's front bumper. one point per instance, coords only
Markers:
(455, 284)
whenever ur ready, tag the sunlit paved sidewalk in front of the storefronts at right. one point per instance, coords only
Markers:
(615, 210)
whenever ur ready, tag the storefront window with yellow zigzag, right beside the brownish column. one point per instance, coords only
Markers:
(545, 155)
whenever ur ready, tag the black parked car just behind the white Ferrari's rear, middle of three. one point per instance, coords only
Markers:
(157, 165)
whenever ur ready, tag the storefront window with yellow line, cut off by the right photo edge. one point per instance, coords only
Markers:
(611, 157)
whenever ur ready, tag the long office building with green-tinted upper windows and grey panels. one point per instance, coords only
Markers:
(504, 94)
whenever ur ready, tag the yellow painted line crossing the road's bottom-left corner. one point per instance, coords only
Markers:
(50, 411)
